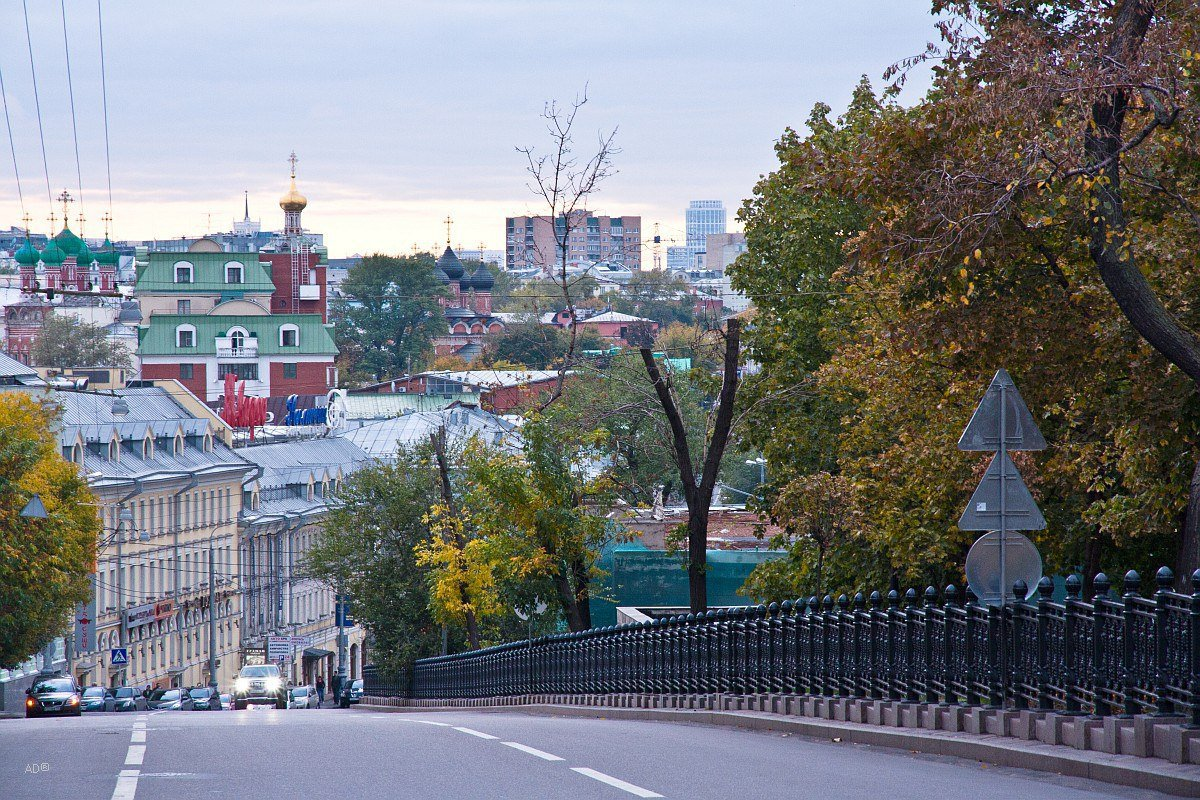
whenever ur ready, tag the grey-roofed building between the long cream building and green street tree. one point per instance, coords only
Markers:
(286, 503)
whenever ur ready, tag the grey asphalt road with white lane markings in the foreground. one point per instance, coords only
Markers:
(460, 756)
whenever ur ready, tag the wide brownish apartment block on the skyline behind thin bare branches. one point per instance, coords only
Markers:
(539, 242)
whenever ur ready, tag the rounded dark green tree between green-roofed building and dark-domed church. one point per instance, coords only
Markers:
(391, 315)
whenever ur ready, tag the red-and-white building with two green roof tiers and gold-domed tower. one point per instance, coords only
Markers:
(260, 317)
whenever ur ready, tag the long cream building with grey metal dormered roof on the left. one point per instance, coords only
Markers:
(167, 568)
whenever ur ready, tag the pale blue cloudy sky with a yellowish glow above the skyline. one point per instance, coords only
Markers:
(403, 113)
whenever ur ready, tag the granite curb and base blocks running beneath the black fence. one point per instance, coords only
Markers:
(1137, 772)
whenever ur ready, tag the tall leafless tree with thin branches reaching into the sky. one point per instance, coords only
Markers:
(566, 182)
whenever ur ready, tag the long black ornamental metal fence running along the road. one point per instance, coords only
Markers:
(1111, 655)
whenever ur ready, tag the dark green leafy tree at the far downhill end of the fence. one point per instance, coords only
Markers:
(368, 551)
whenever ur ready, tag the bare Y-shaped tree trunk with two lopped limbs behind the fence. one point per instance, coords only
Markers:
(699, 494)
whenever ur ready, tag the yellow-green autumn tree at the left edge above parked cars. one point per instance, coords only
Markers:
(44, 563)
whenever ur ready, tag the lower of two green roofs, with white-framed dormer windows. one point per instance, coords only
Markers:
(159, 339)
